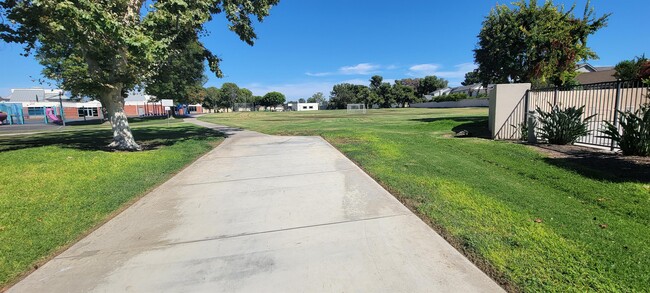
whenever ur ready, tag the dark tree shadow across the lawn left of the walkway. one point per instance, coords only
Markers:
(98, 139)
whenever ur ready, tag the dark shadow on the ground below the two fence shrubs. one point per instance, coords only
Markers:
(606, 167)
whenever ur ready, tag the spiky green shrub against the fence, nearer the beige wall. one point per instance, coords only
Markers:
(563, 126)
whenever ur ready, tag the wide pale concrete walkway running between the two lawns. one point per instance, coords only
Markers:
(263, 213)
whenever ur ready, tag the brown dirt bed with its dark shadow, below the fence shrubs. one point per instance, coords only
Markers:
(596, 163)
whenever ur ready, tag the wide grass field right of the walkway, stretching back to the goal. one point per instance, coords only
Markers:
(534, 223)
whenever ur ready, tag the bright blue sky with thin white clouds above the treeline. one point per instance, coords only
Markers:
(307, 46)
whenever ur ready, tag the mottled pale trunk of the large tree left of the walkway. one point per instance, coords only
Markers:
(123, 139)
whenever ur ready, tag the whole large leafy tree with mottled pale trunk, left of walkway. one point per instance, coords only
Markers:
(105, 48)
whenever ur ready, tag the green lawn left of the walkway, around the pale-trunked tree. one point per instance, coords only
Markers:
(55, 187)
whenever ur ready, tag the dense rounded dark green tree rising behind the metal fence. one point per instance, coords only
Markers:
(533, 43)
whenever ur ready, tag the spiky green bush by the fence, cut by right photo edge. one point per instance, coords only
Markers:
(634, 140)
